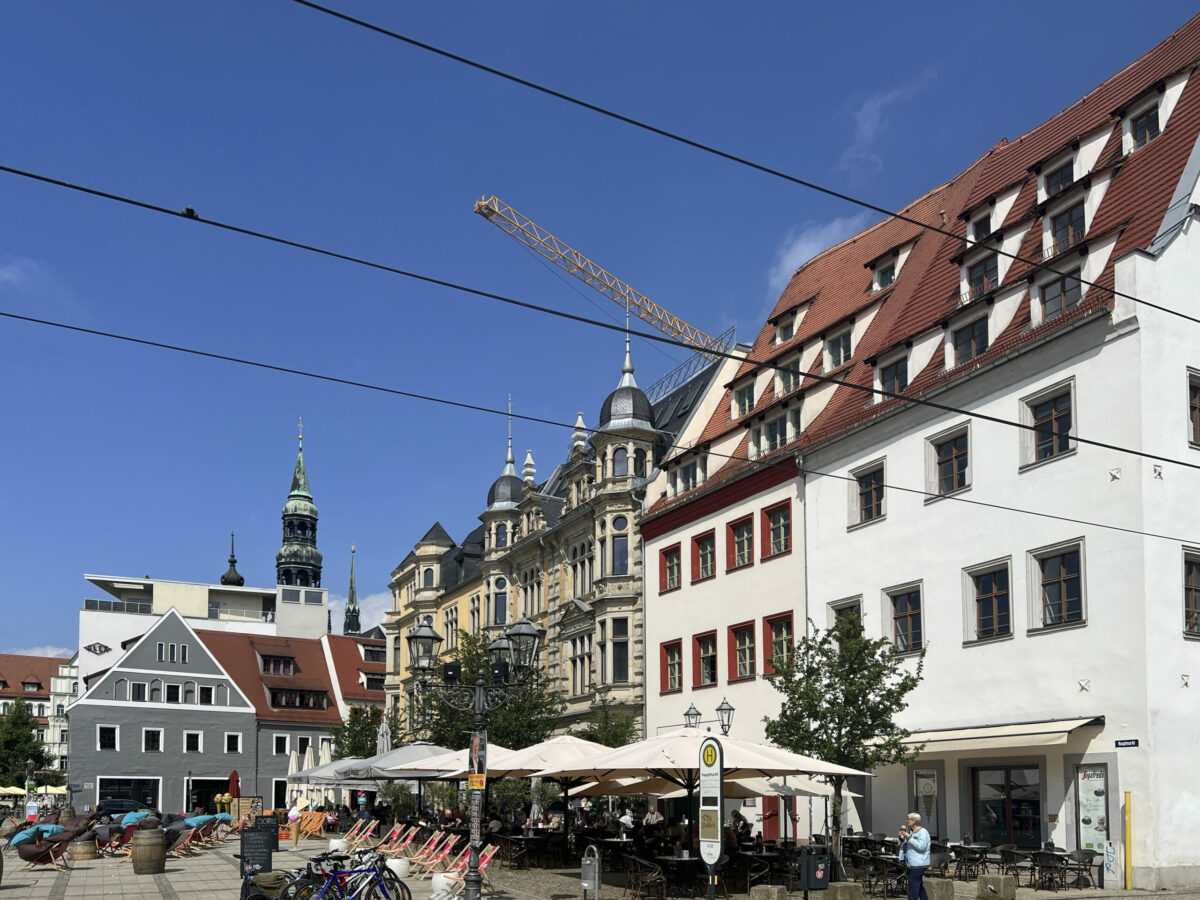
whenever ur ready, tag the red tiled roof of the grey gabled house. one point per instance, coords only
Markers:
(237, 655)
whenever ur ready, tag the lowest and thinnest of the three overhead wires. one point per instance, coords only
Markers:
(785, 459)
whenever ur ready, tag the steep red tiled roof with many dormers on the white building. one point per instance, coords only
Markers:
(926, 293)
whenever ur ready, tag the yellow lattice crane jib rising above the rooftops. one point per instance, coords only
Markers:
(537, 238)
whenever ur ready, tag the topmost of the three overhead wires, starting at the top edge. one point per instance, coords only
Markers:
(712, 151)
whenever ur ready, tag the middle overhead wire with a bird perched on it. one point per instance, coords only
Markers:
(191, 217)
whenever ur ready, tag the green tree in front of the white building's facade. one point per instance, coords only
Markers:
(842, 692)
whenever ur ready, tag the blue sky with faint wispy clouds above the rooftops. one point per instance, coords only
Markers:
(124, 460)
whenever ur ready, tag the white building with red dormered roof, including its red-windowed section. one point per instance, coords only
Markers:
(975, 425)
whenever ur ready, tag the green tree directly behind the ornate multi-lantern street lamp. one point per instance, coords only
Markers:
(526, 718)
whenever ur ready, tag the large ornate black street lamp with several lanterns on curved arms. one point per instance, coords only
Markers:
(513, 658)
